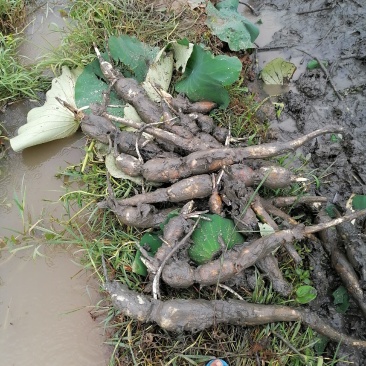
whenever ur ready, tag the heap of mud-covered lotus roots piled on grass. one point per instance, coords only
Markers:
(187, 163)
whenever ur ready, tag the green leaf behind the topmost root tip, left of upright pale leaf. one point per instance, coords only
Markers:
(137, 56)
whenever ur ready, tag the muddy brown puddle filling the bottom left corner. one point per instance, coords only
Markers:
(44, 313)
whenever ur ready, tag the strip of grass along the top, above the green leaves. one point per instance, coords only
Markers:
(96, 20)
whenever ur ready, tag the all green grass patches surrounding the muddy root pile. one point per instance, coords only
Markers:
(98, 233)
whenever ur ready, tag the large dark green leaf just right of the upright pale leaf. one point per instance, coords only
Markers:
(206, 76)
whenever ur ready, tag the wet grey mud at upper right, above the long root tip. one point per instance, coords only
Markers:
(336, 35)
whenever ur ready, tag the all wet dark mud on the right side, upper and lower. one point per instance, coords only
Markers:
(336, 34)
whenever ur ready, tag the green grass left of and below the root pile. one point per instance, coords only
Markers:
(99, 233)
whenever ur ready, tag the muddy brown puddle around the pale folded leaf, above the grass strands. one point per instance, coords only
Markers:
(33, 172)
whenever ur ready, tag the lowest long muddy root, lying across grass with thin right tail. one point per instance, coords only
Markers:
(194, 315)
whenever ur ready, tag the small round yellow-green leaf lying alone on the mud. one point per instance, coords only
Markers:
(278, 71)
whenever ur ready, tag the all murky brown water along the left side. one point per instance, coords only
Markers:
(44, 302)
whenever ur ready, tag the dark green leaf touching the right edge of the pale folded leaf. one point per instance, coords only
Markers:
(90, 86)
